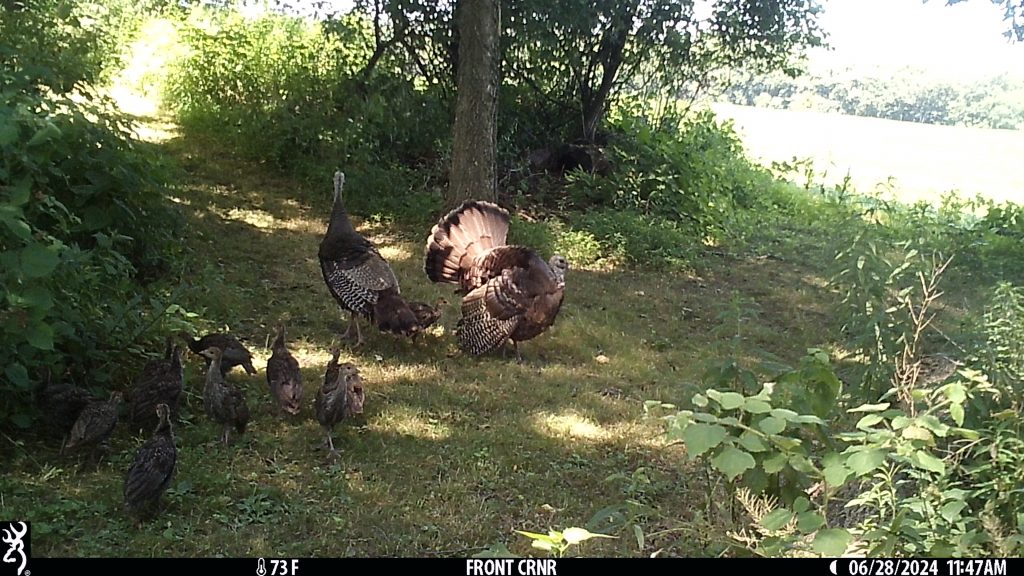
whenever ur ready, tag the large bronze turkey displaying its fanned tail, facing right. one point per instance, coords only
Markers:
(510, 293)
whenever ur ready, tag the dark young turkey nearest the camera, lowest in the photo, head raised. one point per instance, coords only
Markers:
(153, 469)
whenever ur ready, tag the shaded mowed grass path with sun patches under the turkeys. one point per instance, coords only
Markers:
(453, 452)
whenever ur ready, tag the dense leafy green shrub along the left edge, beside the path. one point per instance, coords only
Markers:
(84, 228)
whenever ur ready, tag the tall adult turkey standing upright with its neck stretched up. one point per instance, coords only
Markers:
(359, 278)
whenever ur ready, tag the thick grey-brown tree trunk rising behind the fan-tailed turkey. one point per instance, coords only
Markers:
(476, 139)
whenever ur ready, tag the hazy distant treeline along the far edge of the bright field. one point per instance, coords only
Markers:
(910, 96)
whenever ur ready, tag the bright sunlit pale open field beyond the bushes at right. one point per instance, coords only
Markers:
(925, 160)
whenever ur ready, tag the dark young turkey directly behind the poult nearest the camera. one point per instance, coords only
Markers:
(161, 382)
